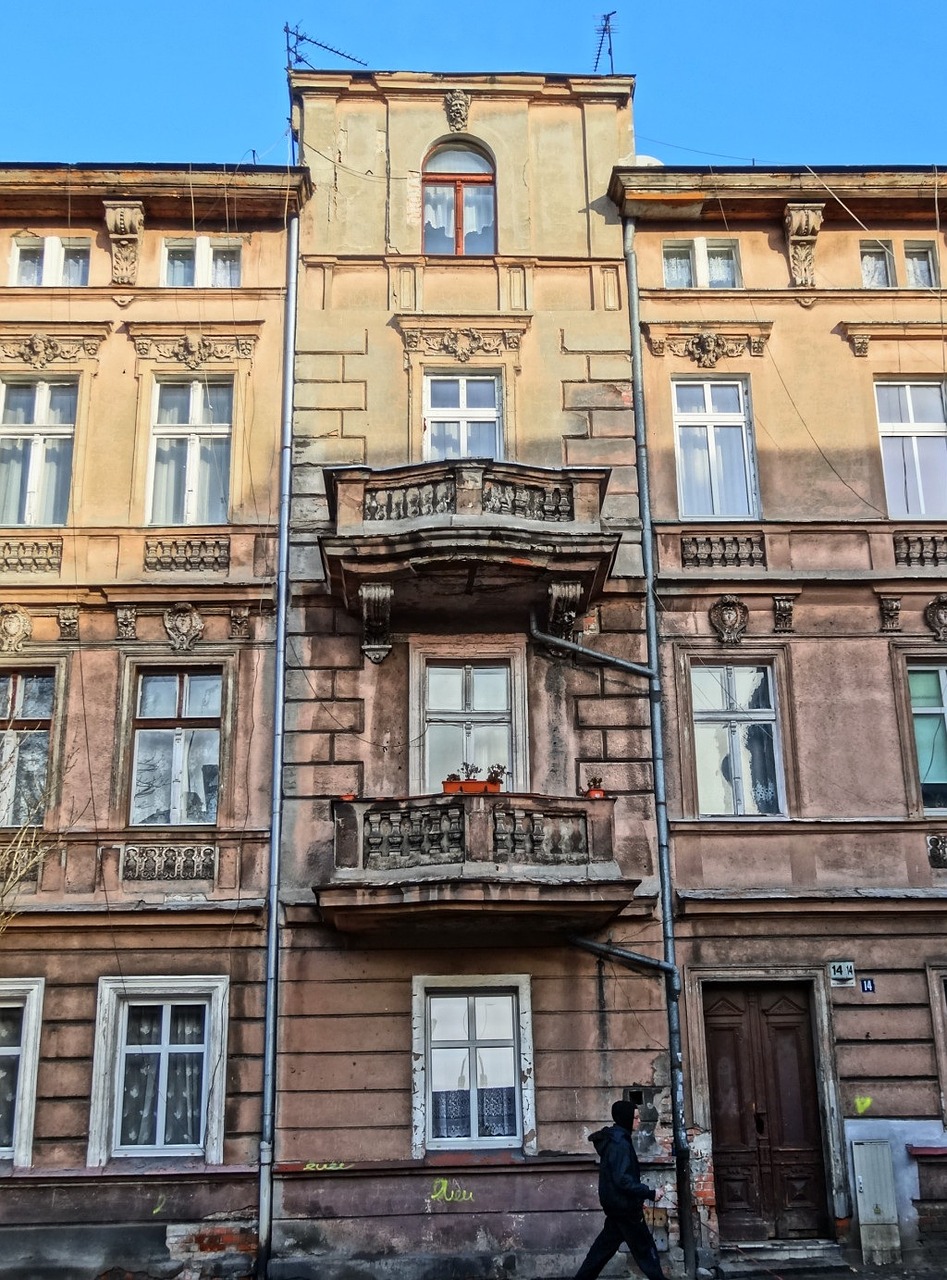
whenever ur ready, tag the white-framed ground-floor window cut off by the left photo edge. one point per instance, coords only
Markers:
(21, 1016)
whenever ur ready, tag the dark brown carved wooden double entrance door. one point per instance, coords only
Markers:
(767, 1137)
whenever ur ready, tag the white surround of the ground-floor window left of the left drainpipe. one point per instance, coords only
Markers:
(107, 1075)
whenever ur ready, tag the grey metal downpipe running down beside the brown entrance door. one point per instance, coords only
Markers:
(683, 1155)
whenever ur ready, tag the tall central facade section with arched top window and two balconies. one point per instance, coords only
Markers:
(464, 510)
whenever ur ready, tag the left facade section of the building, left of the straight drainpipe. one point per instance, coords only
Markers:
(141, 365)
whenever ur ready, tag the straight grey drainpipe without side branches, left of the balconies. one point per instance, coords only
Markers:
(272, 982)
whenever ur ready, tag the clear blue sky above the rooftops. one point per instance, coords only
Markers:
(838, 83)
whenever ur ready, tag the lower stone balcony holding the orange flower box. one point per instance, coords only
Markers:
(484, 863)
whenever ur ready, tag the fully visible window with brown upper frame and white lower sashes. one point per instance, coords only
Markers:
(177, 748)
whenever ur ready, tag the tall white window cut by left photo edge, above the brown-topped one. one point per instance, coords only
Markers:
(38, 422)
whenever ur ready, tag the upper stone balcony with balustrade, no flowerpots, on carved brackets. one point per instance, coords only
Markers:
(441, 537)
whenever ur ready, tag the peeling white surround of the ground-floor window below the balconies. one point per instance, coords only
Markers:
(472, 985)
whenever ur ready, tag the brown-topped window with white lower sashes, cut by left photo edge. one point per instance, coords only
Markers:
(26, 715)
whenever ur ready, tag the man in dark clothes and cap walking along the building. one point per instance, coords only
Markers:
(623, 1195)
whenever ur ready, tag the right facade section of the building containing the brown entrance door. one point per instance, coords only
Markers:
(793, 367)
